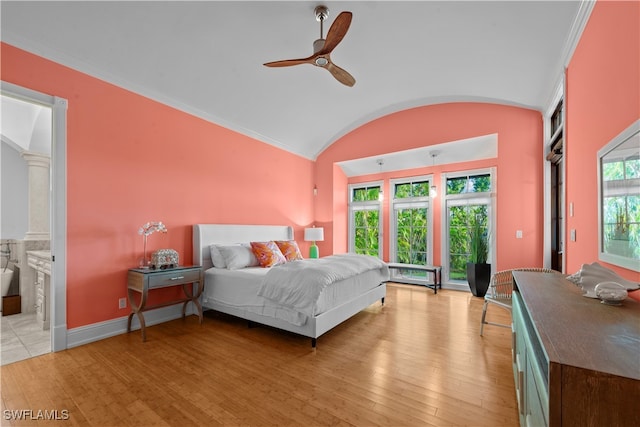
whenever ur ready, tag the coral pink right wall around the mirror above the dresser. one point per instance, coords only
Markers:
(602, 99)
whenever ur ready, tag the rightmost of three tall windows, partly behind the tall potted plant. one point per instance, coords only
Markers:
(468, 201)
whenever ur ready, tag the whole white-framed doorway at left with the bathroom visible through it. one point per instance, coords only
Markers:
(32, 221)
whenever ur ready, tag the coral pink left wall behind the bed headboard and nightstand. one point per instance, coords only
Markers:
(131, 160)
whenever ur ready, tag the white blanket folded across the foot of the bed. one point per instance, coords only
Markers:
(298, 284)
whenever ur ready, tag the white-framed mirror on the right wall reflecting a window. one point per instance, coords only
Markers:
(619, 199)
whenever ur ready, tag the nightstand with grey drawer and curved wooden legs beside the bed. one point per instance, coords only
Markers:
(141, 281)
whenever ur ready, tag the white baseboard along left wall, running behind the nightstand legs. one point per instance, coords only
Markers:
(101, 330)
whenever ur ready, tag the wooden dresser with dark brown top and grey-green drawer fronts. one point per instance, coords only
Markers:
(576, 361)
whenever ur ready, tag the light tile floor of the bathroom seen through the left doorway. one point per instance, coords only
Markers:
(22, 338)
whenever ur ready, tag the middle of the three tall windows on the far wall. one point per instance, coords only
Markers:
(411, 224)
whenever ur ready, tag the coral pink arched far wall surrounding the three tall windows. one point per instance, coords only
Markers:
(519, 167)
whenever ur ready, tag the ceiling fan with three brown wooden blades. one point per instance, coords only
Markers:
(322, 48)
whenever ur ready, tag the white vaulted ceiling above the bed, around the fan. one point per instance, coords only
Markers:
(206, 57)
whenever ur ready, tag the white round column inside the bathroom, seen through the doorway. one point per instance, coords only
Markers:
(38, 166)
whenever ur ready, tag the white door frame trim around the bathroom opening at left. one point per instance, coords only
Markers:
(58, 197)
